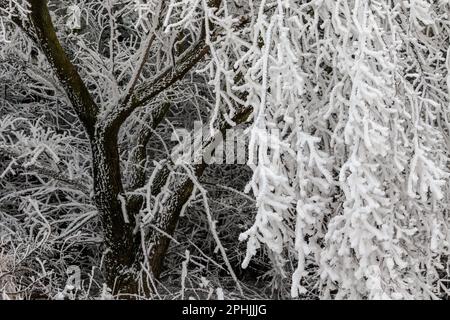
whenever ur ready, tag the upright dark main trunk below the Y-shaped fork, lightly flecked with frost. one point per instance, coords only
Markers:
(118, 225)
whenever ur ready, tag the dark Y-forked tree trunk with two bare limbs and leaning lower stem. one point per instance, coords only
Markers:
(123, 255)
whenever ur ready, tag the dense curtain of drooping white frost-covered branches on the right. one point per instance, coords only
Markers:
(365, 176)
